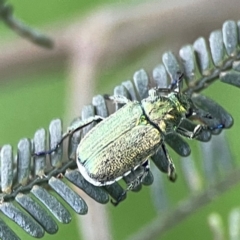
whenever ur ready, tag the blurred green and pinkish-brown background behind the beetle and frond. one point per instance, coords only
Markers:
(97, 45)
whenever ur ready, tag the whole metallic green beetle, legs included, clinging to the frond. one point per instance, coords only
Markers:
(126, 139)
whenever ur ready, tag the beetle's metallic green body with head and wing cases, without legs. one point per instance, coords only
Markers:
(127, 138)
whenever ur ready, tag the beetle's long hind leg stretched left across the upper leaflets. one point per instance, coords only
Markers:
(75, 127)
